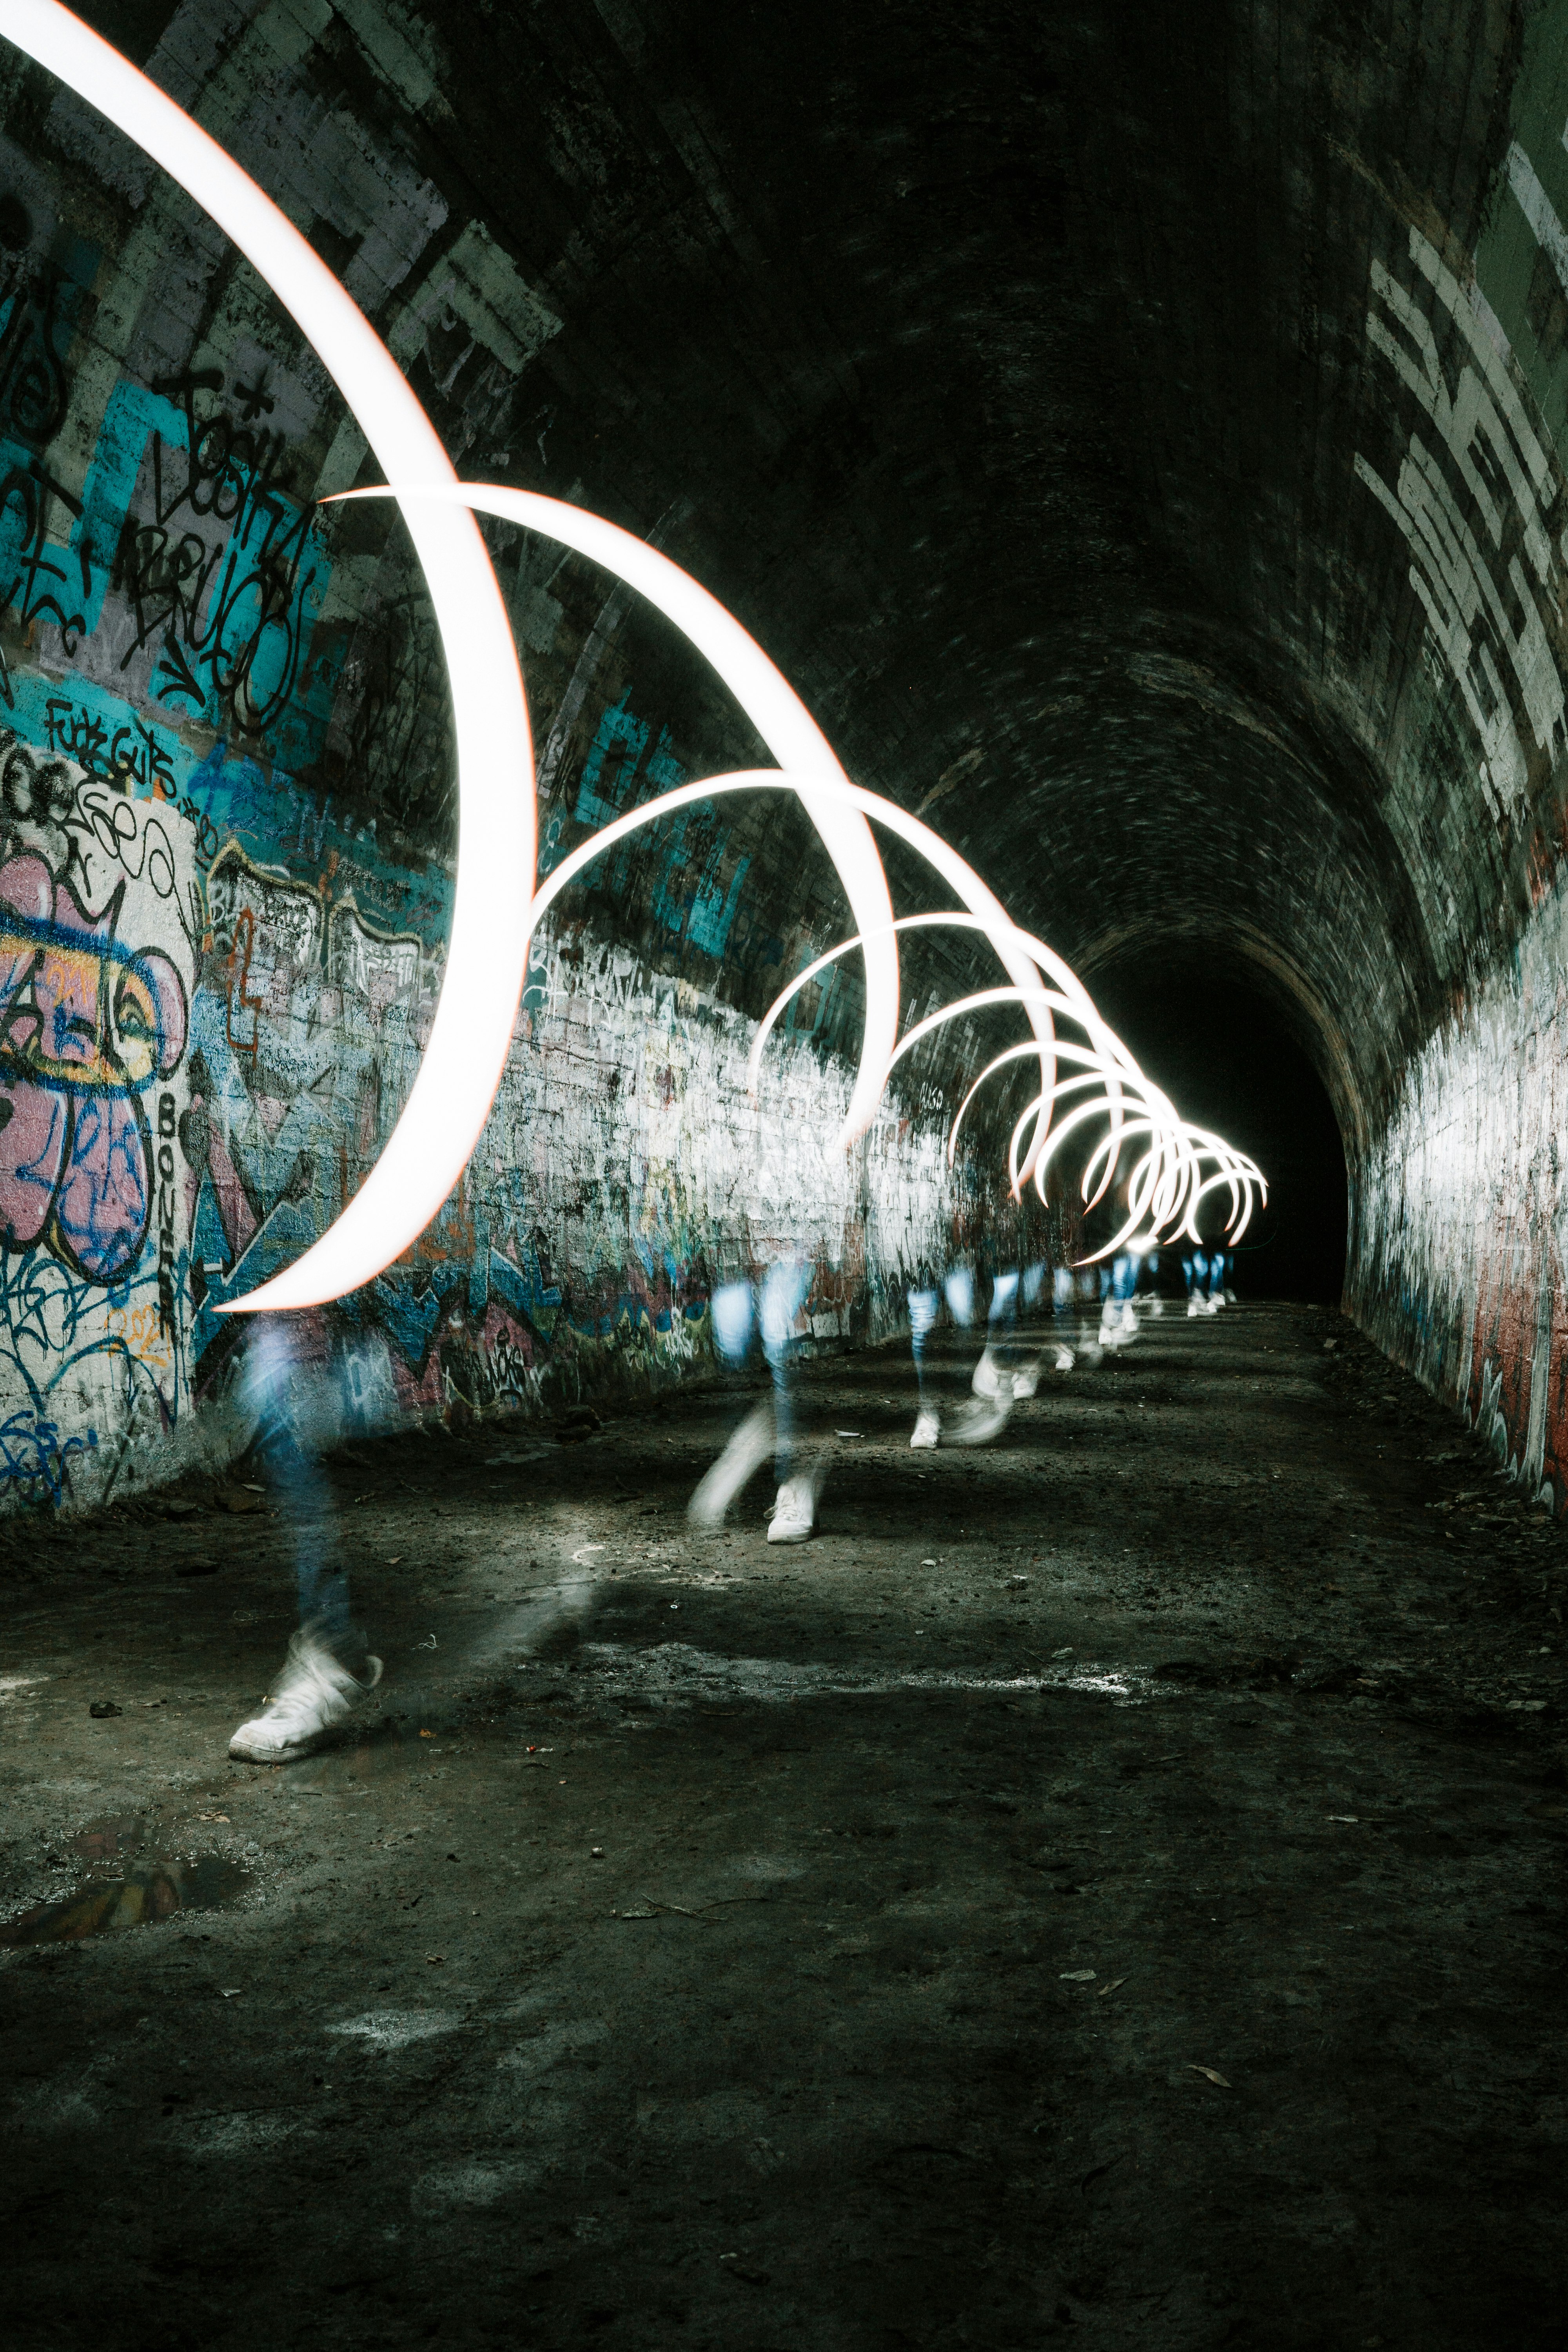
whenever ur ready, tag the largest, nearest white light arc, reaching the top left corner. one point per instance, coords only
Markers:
(485, 956)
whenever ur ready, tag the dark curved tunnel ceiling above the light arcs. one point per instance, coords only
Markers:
(1061, 399)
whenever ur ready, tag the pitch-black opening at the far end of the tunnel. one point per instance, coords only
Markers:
(1212, 1038)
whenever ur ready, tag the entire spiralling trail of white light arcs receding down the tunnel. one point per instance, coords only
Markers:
(495, 900)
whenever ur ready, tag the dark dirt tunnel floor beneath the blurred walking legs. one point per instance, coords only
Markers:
(1104, 1887)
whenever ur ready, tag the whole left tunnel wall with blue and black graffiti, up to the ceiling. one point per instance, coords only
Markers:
(227, 831)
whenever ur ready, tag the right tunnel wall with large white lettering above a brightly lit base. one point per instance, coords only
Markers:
(1461, 1189)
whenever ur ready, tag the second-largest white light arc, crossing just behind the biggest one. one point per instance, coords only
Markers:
(763, 693)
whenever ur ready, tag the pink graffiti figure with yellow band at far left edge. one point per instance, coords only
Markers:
(86, 1027)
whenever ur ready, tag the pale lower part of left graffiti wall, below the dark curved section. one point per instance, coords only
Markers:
(201, 1062)
